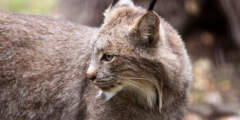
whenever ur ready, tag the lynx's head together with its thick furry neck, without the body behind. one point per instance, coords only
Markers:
(148, 62)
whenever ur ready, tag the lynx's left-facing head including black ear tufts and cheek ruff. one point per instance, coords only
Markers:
(132, 53)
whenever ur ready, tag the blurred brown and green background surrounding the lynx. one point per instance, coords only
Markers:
(210, 29)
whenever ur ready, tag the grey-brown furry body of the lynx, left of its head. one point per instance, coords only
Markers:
(41, 64)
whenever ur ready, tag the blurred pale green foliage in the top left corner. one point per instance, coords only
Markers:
(41, 7)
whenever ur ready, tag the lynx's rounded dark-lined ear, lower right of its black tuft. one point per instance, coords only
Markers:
(145, 32)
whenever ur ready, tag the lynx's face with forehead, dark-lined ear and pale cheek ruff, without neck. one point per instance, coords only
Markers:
(122, 53)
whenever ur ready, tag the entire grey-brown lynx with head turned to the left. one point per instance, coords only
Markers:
(134, 67)
